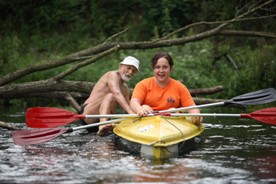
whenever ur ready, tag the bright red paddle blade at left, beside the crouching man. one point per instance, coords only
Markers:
(46, 117)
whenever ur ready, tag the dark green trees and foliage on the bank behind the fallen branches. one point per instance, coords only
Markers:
(33, 31)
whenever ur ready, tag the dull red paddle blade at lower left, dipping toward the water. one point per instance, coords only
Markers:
(36, 136)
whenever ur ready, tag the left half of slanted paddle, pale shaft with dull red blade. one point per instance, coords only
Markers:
(36, 136)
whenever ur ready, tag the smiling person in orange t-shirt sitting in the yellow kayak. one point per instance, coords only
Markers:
(161, 92)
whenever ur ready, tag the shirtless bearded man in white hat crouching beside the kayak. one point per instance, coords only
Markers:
(109, 91)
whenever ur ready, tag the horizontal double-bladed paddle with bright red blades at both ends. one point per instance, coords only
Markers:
(43, 118)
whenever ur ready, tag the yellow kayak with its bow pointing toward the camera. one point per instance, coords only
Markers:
(158, 136)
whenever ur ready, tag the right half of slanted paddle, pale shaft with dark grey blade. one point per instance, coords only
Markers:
(253, 98)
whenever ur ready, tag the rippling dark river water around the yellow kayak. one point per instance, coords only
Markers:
(241, 151)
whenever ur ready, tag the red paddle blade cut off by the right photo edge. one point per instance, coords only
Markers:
(267, 115)
